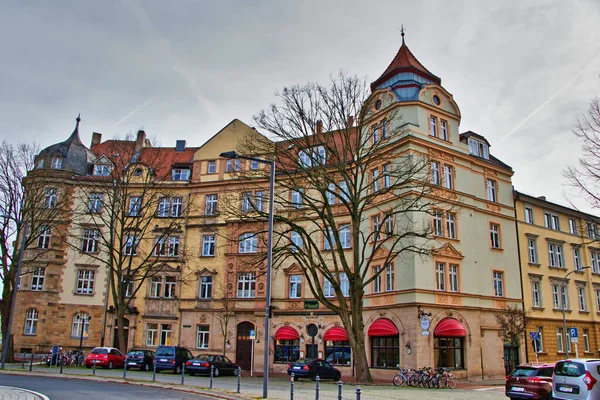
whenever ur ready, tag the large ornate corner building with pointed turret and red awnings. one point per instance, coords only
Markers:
(436, 310)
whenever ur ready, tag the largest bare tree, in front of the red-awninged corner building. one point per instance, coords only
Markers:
(350, 194)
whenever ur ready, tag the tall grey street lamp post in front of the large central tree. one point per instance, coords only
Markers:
(233, 154)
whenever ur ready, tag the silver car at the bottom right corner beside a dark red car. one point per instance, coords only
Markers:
(576, 379)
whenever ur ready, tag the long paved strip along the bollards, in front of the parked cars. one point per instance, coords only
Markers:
(279, 388)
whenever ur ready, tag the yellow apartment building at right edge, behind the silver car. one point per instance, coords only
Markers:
(560, 266)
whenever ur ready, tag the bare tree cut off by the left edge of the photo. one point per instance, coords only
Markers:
(31, 198)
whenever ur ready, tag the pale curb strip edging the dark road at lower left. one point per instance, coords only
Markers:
(181, 388)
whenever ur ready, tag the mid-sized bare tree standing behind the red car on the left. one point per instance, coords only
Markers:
(131, 221)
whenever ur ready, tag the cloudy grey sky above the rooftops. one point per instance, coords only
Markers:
(522, 72)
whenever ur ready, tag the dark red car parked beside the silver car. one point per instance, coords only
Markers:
(529, 381)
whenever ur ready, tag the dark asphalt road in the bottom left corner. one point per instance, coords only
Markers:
(74, 389)
